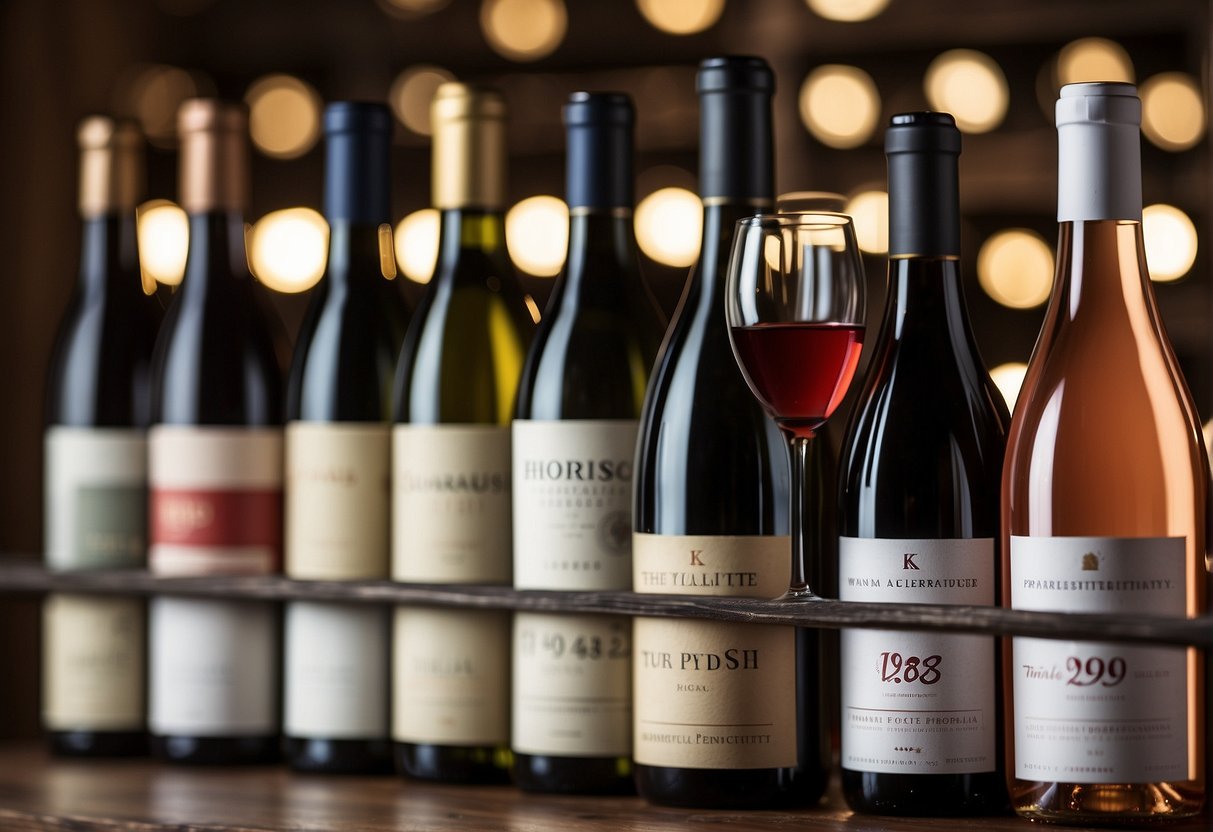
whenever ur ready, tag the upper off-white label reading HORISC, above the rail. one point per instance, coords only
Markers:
(573, 504)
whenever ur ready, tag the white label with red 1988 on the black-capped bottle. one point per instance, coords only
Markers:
(918, 703)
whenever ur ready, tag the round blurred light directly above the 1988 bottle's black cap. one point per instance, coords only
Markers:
(971, 87)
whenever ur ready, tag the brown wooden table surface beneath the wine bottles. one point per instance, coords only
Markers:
(39, 793)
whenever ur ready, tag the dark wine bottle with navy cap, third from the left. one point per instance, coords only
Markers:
(338, 452)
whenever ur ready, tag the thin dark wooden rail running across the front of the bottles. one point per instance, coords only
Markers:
(25, 575)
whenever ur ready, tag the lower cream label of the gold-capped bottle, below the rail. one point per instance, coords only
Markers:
(451, 682)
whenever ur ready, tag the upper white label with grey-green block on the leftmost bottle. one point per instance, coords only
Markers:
(96, 498)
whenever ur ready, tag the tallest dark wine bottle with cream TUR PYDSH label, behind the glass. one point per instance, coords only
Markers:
(711, 503)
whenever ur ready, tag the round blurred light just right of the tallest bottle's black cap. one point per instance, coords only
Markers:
(840, 106)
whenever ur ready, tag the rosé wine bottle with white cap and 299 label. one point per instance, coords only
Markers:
(1104, 503)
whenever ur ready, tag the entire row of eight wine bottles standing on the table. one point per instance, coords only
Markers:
(466, 447)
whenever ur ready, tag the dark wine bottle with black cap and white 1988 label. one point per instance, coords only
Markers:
(921, 476)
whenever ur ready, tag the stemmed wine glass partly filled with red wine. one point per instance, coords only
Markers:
(795, 307)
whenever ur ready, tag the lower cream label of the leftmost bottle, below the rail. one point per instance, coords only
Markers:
(93, 664)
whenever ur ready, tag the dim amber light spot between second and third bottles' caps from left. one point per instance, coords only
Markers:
(284, 116)
